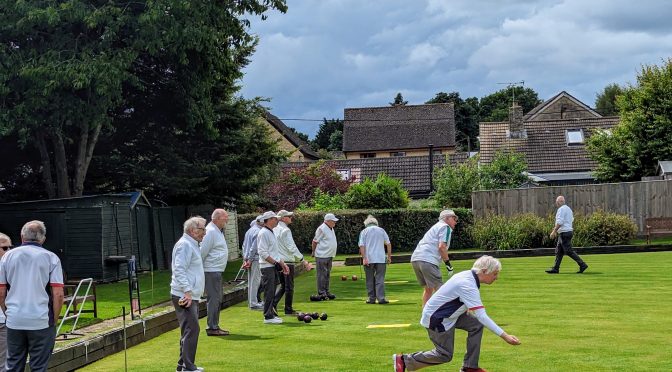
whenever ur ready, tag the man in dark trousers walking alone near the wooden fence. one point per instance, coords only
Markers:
(564, 218)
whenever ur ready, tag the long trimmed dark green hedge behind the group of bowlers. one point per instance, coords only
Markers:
(404, 227)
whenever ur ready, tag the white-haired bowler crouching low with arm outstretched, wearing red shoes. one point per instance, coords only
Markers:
(457, 304)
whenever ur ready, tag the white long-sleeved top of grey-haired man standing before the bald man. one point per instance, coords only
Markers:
(187, 266)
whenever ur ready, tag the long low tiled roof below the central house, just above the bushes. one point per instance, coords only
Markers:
(413, 171)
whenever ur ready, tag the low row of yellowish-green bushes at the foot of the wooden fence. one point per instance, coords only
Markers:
(530, 231)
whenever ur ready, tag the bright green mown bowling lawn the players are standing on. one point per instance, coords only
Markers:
(615, 317)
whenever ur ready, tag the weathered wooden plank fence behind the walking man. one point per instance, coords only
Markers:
(639, 200)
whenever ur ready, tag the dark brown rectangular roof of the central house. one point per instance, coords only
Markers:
(398, 127)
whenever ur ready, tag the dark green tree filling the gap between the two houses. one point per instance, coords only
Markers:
(466, 118)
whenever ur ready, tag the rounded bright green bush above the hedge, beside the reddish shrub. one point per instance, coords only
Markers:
(383, 193)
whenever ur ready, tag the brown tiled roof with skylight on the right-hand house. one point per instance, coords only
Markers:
(545, 148)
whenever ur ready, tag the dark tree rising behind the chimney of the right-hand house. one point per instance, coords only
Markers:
(495, 107)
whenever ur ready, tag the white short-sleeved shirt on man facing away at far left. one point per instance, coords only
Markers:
(27, 271)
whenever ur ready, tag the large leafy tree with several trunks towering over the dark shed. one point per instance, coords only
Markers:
(70, 70)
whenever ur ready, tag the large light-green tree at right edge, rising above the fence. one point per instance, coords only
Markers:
(642, 137)
